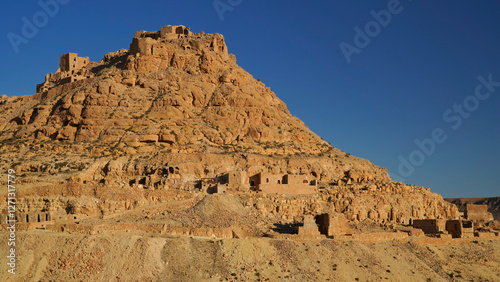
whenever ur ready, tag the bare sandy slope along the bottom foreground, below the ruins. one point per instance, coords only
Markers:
(128, 256)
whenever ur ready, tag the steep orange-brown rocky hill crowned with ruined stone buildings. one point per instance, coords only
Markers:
(173, 109)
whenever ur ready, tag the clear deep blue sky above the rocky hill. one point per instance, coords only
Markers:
(374, 84)
